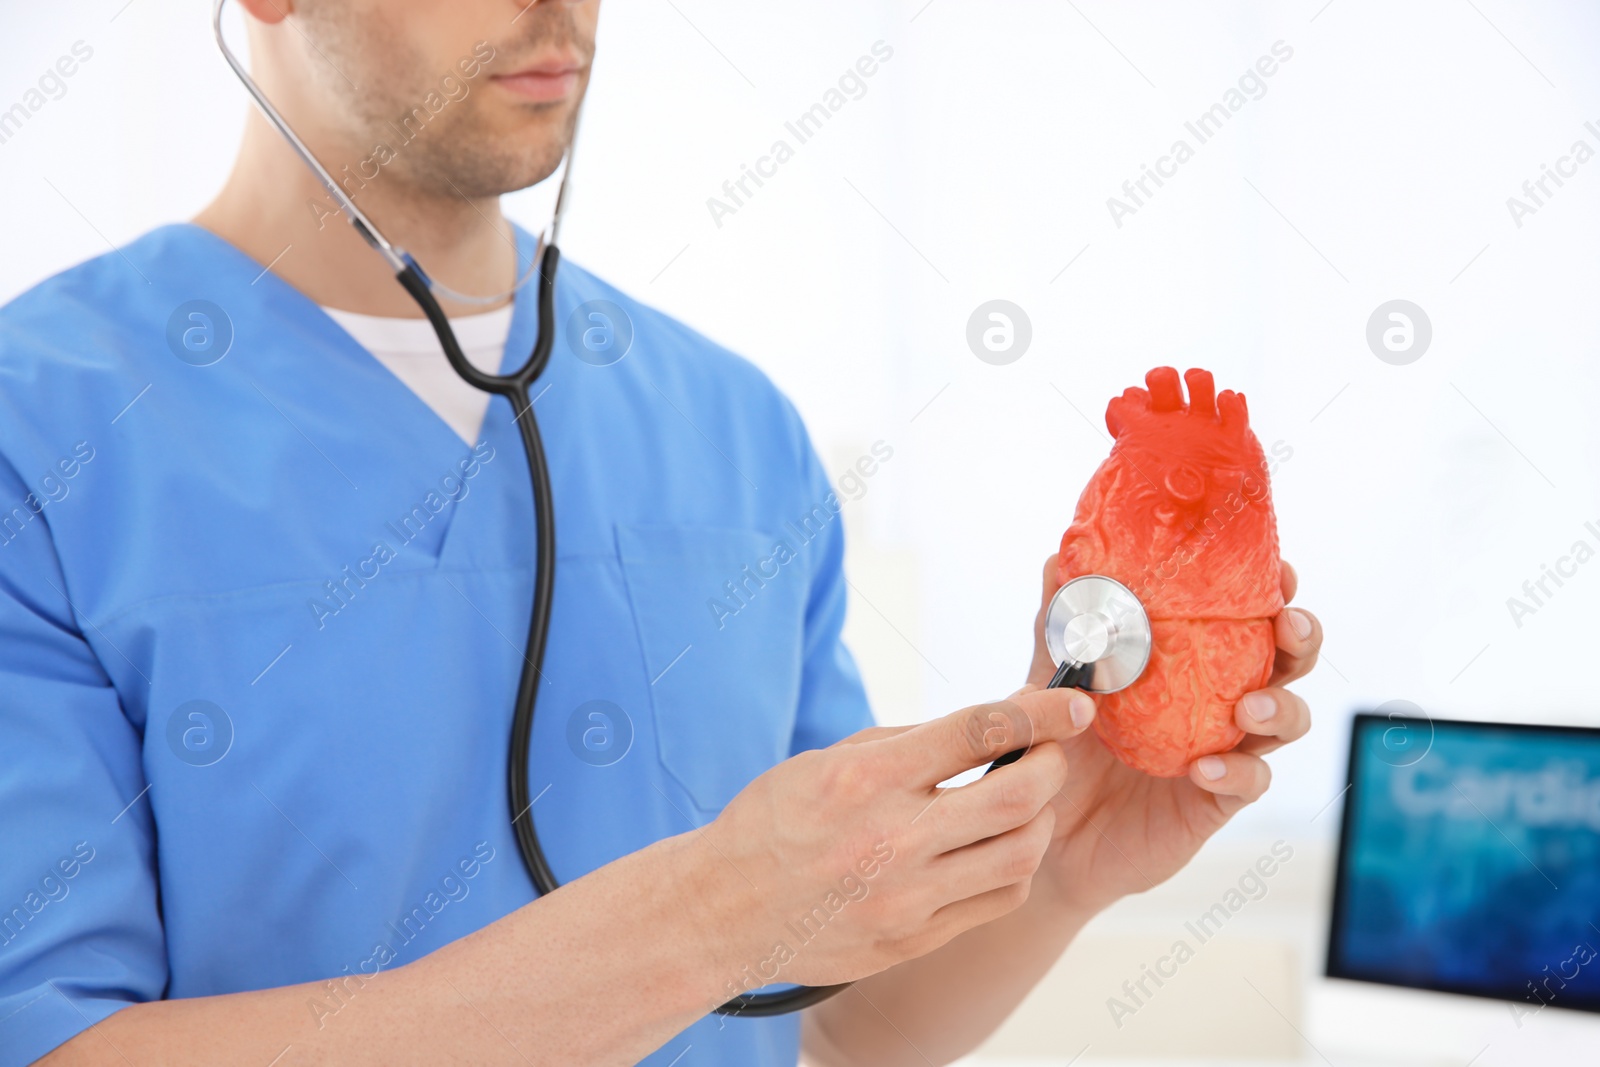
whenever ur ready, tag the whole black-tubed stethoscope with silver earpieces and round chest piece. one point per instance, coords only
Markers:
(1095, 628)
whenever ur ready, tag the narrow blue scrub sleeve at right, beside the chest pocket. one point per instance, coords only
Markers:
(833, 700)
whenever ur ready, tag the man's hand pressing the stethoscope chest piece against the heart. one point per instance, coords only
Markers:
(846, 861)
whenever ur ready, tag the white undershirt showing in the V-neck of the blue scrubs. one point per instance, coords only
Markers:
(410, 350)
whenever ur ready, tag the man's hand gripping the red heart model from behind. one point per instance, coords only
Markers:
(1121, 831)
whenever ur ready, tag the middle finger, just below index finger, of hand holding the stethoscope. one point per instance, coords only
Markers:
(996, 804)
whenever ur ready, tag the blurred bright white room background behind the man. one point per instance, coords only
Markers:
(1418, 487)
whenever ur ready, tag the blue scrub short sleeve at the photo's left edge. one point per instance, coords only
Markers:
(81, 933)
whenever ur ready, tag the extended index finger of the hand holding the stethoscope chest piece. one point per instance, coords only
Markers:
(983, 733)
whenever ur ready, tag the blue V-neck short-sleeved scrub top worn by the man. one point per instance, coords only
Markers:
(262, 623)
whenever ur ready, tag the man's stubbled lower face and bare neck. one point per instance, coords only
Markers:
(425, 116)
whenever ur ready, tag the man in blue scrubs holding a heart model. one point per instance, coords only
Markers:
(265, 577)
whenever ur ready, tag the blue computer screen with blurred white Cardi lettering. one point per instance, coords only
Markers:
(1470, 861)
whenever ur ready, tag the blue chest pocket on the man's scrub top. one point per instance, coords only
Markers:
(722, 626)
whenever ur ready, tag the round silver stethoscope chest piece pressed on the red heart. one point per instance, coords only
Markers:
(1098, 629)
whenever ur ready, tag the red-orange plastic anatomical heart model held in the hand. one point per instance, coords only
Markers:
(1182, 514)
